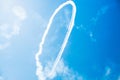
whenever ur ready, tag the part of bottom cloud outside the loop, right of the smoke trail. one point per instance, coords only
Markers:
(66, 73)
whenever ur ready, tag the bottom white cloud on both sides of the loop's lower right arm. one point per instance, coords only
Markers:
(62, 71)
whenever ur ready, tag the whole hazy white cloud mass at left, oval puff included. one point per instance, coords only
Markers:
(10, 29)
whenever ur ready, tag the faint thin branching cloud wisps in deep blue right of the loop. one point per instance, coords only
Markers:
(93, 21)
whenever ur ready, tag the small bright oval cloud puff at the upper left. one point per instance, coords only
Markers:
(20, 12)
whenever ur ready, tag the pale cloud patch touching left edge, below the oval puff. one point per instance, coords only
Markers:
(6, 33)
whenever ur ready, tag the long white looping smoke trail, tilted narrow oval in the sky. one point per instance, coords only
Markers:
(39, 71)
